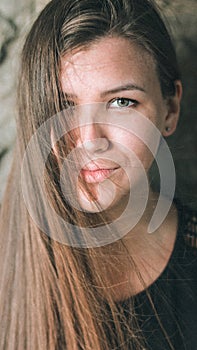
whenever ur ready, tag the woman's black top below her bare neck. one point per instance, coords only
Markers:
(174, 295)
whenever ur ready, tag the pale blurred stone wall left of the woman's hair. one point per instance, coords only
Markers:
(16, 18)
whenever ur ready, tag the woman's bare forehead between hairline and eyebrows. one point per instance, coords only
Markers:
(106, 62)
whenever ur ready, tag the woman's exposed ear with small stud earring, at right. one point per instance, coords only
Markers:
(173, 110)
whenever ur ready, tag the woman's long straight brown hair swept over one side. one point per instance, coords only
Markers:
(48, 290)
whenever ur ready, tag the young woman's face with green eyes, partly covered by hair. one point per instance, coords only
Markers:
(116, 77)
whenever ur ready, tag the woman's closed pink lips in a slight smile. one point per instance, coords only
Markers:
(97, 175)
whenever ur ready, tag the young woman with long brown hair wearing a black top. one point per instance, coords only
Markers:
(111, 68)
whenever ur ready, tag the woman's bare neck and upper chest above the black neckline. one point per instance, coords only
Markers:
(131, 264)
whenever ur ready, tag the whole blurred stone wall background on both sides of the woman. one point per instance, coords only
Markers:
(15, 21)
